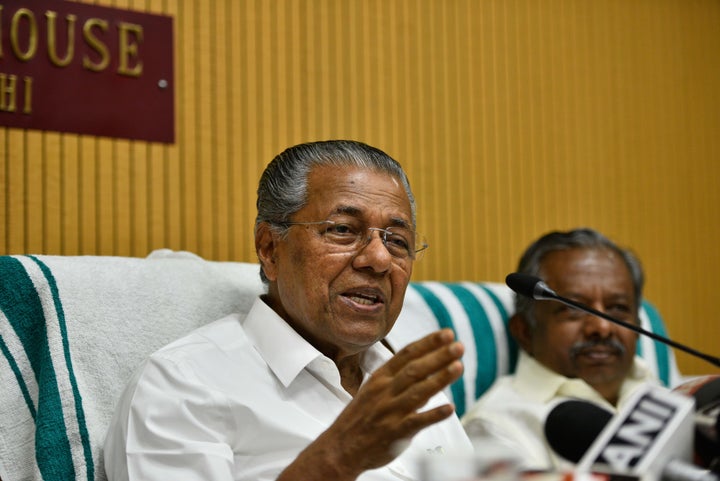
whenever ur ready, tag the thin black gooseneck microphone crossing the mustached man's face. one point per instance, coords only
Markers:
(534, 288)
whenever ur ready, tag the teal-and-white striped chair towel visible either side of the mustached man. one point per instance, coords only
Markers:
(478, 312)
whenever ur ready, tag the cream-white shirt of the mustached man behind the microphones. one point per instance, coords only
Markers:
(514, 409)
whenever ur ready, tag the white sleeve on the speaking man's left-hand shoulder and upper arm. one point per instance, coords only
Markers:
(169, 425)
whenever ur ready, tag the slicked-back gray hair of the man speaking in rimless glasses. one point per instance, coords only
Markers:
(282, 190)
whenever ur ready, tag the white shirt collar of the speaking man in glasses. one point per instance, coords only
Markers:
(286, 352)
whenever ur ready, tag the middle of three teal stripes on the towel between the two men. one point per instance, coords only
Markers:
(485, 347)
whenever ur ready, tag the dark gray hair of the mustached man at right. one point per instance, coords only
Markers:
(583, 238)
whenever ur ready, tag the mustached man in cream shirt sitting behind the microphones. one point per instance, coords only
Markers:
(564, 351)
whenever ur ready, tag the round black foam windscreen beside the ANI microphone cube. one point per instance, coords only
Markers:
(572, 426)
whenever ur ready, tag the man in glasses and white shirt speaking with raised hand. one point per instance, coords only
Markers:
(303, 388)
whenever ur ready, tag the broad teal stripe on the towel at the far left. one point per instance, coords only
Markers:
(22, 306)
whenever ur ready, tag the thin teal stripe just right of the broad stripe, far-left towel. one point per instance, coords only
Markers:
(79, 411)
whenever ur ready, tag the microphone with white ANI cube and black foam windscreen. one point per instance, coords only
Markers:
(651, 438)
